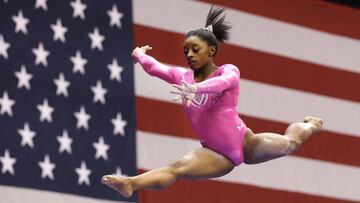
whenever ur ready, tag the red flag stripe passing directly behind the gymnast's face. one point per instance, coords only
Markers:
(259, 66)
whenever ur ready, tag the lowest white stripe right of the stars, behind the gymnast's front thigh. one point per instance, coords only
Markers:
(288, 174)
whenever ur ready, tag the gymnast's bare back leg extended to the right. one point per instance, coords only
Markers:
(263, 147)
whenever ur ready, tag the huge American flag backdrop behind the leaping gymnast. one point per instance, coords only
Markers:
(69, 115)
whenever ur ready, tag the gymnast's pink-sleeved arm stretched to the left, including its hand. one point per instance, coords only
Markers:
(155, 68)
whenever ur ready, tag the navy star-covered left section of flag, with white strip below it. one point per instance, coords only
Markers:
(67, 113)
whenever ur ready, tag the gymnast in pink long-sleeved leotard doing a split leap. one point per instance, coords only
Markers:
(209, 95)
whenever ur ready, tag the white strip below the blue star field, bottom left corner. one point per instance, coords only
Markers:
(9, 194)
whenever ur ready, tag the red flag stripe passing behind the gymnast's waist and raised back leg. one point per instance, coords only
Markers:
(168, 118)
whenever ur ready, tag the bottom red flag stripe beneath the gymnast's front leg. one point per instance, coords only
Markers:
(216, 191)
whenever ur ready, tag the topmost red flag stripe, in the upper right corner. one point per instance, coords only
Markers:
(319, 15)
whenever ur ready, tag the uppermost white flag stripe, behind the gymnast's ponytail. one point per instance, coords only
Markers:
(255, 32)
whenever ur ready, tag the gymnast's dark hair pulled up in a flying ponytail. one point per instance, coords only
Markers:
(220, 28)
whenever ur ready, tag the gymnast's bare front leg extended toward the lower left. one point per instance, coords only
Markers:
(201, 163)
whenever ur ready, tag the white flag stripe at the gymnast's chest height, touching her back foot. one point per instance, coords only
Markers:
(272, 102)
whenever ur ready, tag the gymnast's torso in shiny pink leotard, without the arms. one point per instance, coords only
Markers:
(214, 117)
